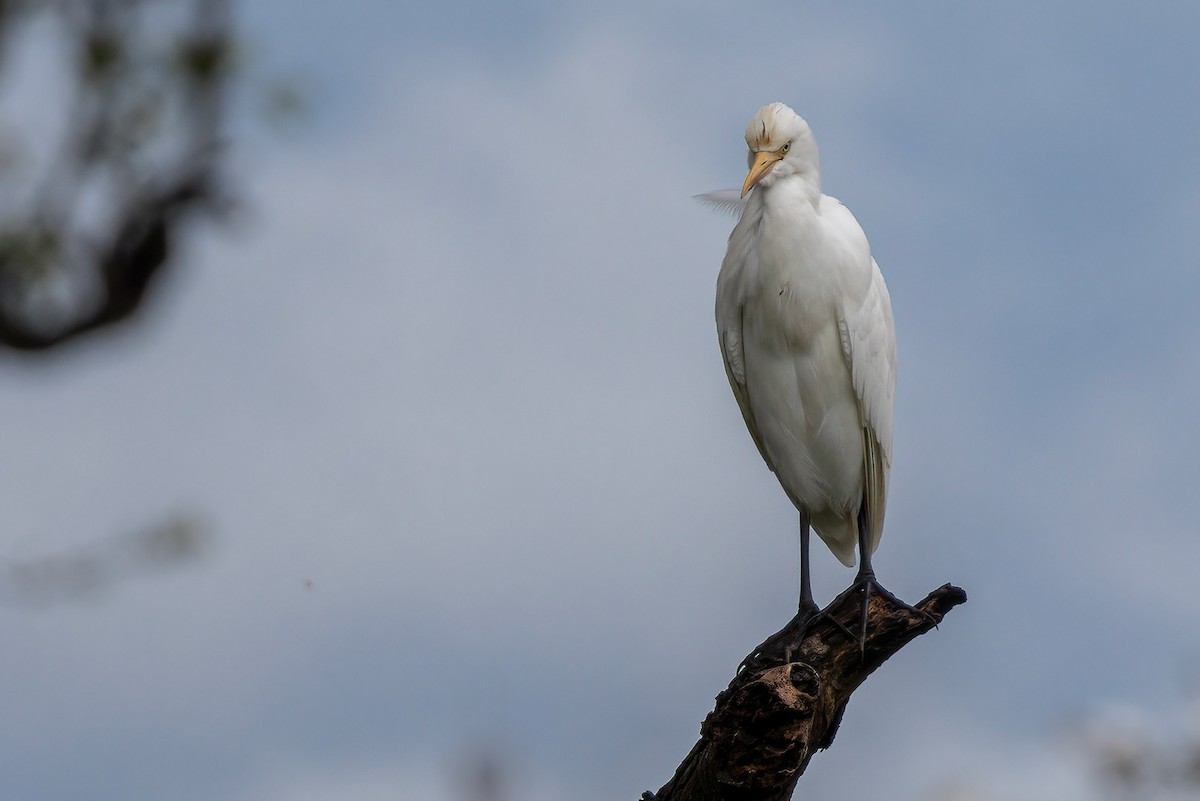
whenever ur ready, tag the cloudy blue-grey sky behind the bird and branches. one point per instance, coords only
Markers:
(448, 401)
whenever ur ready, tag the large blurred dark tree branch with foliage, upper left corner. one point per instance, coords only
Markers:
(140, 154)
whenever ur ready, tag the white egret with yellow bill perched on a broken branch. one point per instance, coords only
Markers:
(806, 330)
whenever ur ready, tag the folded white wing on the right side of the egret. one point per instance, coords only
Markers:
(869, 345)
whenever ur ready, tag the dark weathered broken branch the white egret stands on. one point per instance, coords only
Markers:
(787, 706)
